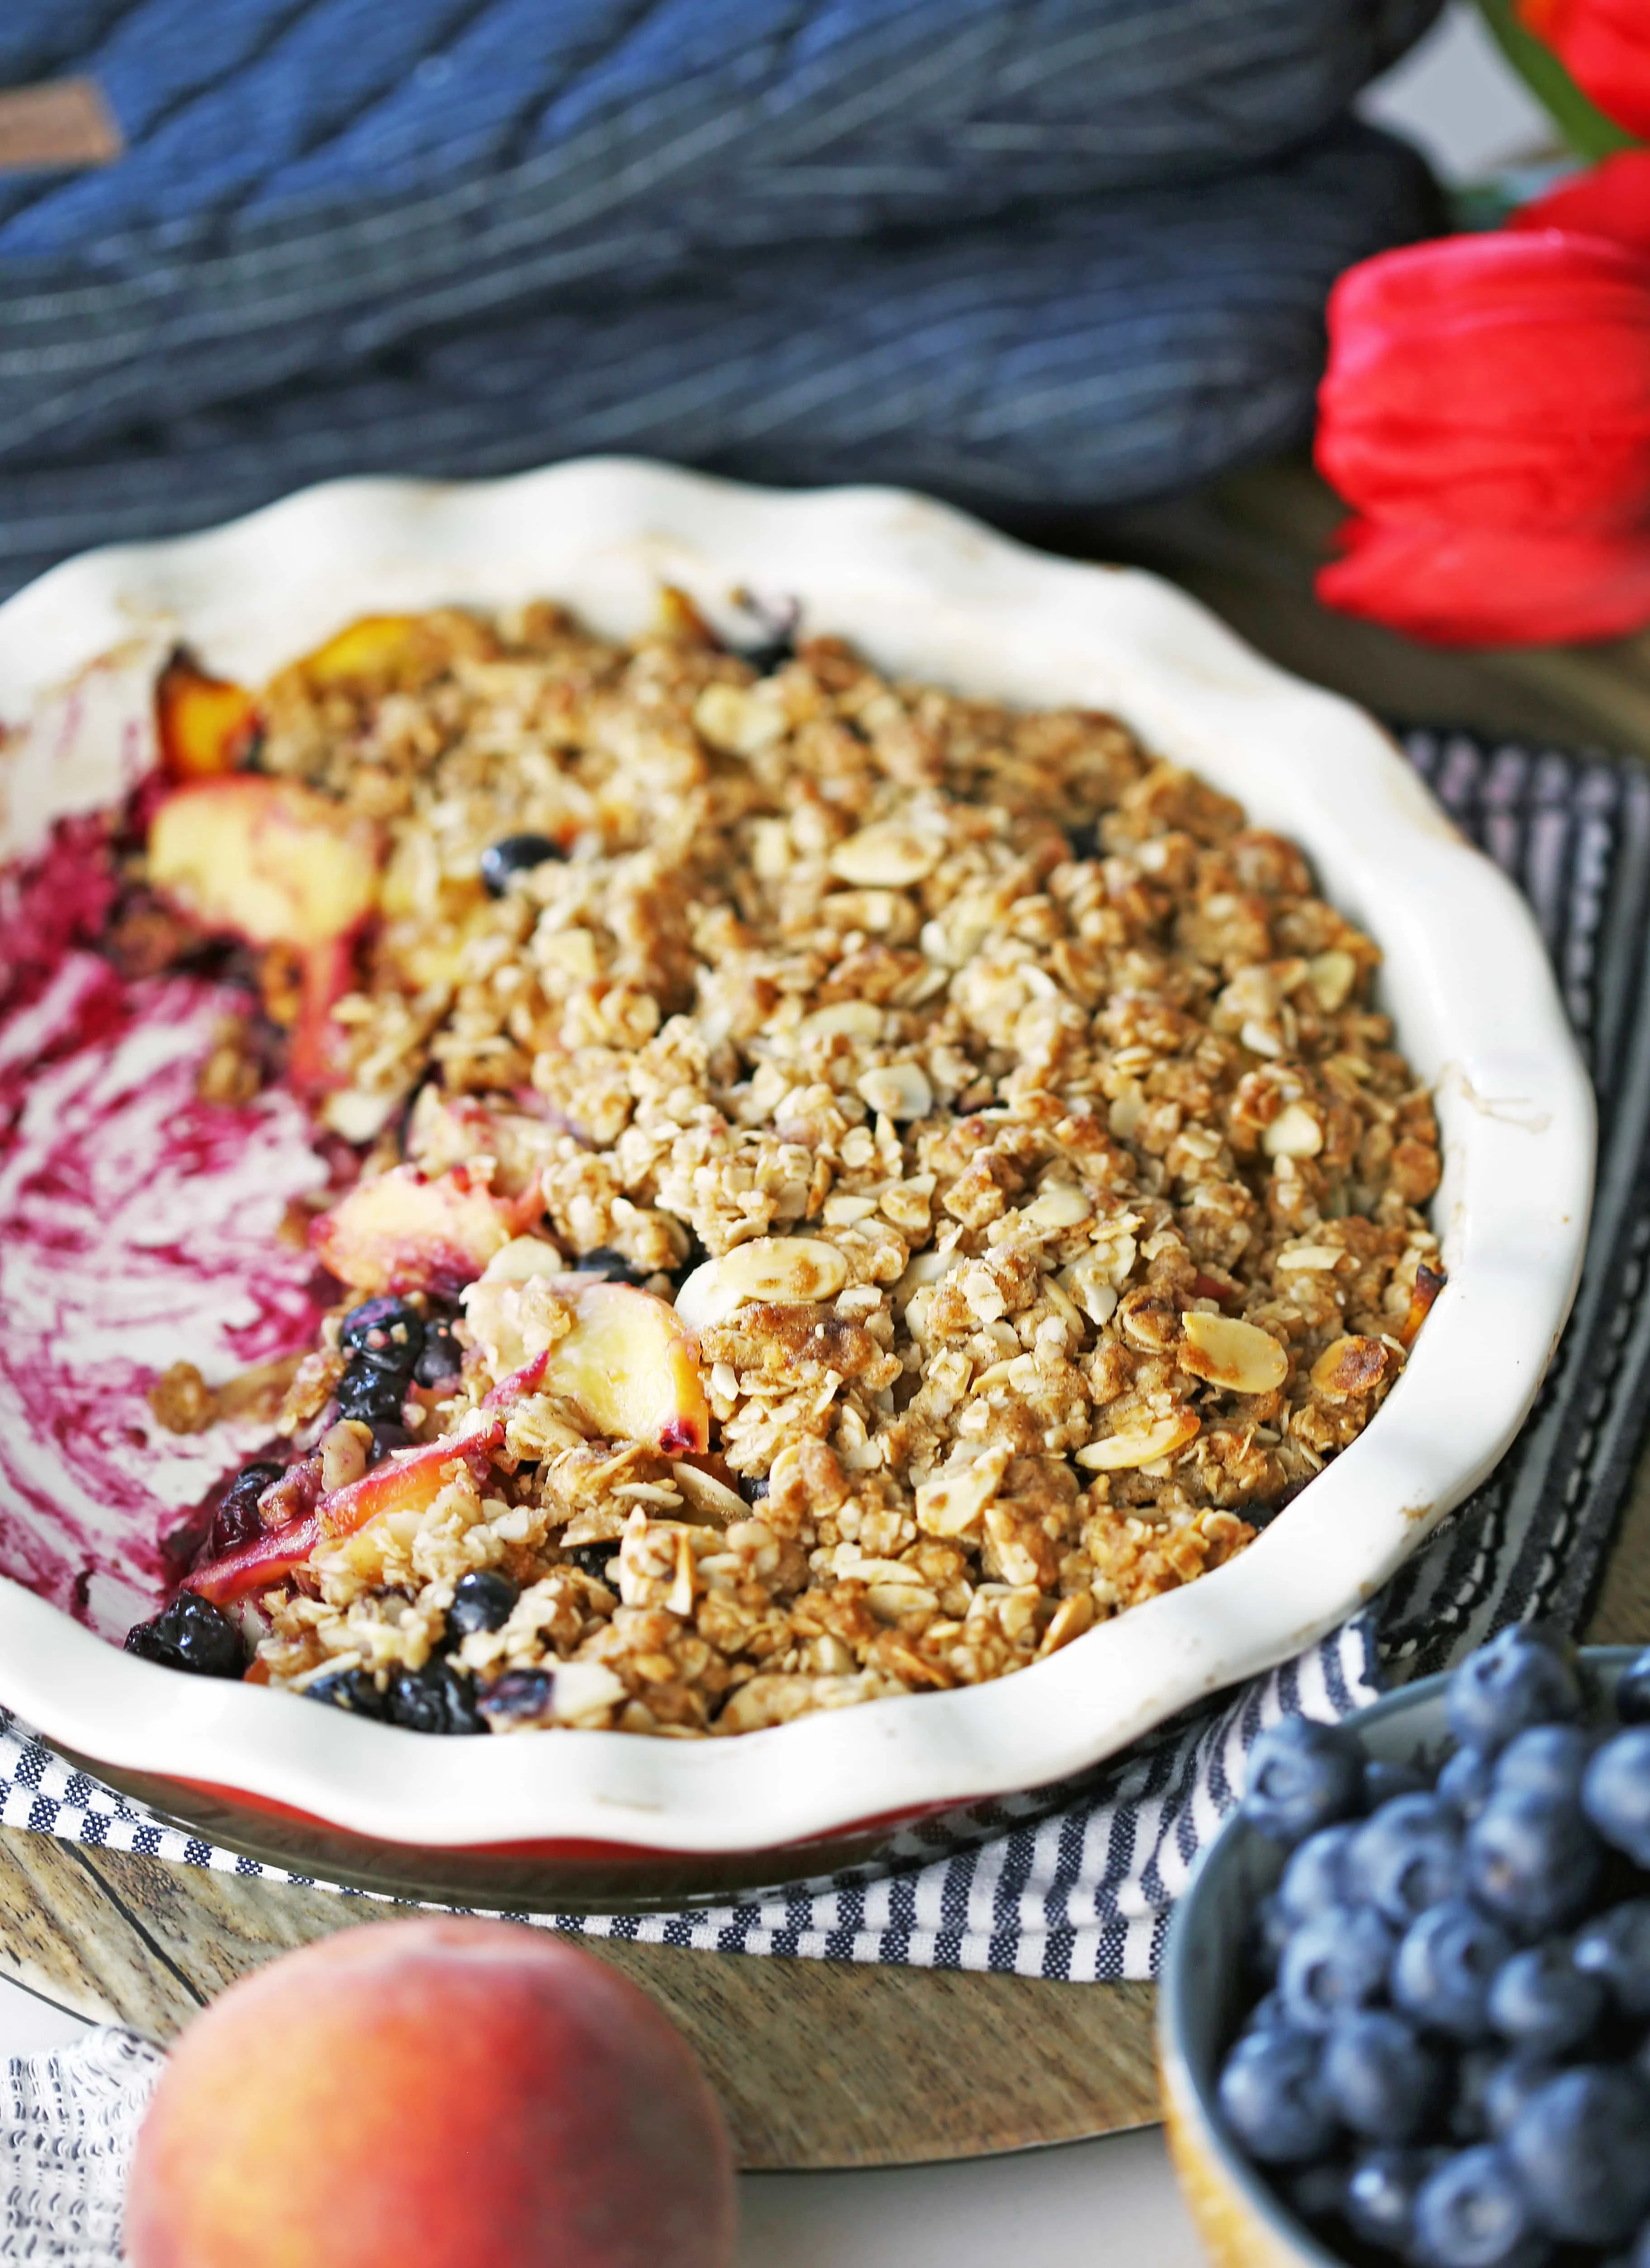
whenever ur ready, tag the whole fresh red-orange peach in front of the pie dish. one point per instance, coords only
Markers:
(432, 2094)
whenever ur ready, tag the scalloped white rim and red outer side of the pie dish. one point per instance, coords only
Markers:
(934, 595)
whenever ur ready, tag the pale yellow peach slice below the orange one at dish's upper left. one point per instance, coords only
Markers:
(264, 861)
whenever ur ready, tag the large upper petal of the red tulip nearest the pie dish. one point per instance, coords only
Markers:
(1492, 380)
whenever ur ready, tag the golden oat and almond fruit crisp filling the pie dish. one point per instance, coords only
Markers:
(836, 1187)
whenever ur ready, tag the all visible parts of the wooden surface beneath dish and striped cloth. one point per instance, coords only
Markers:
(827, 2063)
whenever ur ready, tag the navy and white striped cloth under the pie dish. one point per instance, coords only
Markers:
(1084, 1890)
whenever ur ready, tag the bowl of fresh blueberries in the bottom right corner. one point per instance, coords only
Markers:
(1406, 2006)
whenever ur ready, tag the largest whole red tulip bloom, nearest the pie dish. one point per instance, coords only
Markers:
(1488, 414)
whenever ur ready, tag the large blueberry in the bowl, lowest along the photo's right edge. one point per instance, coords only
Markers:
(1579, 2149)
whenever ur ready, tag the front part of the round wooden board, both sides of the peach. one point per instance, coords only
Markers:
(816, 2063)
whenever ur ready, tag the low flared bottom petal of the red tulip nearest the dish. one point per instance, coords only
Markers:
(1488, 586)
